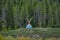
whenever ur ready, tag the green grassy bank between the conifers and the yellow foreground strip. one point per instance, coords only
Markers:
(43, 32)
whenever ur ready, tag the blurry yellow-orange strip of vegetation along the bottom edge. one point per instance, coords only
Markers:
(27, 38)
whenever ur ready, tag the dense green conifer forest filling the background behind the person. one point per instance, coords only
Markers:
(13, 13)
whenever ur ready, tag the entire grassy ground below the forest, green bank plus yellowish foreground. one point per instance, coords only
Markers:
(33, 34)
